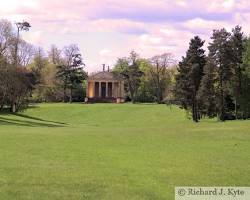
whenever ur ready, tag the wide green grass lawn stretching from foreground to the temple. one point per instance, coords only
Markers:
(117, 152)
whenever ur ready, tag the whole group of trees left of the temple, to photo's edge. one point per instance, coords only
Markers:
(28, 74)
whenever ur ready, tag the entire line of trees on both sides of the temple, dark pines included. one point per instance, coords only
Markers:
(216, 84)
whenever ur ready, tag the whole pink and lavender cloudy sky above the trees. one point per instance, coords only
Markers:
(108, 29)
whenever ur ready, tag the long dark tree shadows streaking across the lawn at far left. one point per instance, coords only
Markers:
(28, 121)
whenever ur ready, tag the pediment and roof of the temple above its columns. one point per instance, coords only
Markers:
(105, 75)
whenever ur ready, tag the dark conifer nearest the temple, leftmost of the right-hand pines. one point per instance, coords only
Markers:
(189, 77)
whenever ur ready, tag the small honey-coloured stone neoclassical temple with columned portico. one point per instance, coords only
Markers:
(106, 87)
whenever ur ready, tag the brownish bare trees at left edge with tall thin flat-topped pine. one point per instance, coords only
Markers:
(16, 81)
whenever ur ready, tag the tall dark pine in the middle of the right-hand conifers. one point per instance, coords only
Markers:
(220, 50)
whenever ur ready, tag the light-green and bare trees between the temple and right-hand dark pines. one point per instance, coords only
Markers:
(148, 89)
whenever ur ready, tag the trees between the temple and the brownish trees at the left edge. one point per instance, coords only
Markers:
(60, 75)
